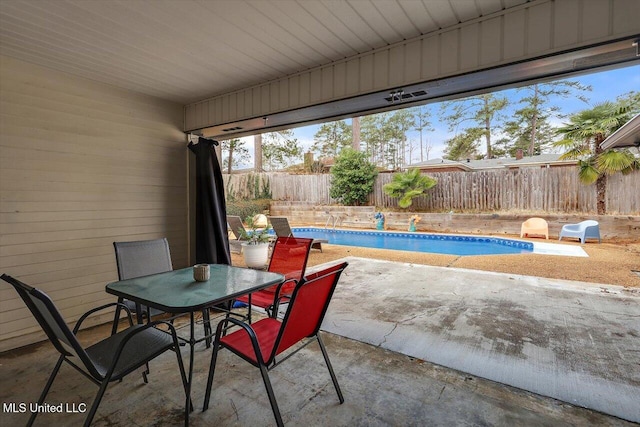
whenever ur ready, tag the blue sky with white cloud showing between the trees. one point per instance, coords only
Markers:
(606, 86)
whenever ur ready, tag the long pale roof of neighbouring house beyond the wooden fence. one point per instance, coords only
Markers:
(483, 164)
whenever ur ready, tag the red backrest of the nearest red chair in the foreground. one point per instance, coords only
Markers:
(307, 308)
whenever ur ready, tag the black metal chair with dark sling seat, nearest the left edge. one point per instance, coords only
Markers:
(108, 360)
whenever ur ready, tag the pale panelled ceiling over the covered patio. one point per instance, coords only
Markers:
(189, 50)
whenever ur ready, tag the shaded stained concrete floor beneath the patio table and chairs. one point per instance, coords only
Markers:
(381, 388)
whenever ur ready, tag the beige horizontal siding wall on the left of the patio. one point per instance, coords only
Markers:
(82, 165)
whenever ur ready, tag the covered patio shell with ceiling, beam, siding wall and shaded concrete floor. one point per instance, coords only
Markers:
(100, 99)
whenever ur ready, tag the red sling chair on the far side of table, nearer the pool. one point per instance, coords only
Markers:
(289, 257)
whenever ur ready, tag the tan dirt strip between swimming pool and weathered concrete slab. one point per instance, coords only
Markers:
(612, 263)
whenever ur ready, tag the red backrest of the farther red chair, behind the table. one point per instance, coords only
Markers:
(289, 257)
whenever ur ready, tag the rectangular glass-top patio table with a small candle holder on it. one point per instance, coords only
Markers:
(177, 292)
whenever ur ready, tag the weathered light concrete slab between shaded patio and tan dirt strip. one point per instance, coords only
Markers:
(571, 341)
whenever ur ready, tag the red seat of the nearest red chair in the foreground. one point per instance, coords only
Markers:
(266, 331)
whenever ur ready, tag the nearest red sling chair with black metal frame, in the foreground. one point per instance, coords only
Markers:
(261, 342)
